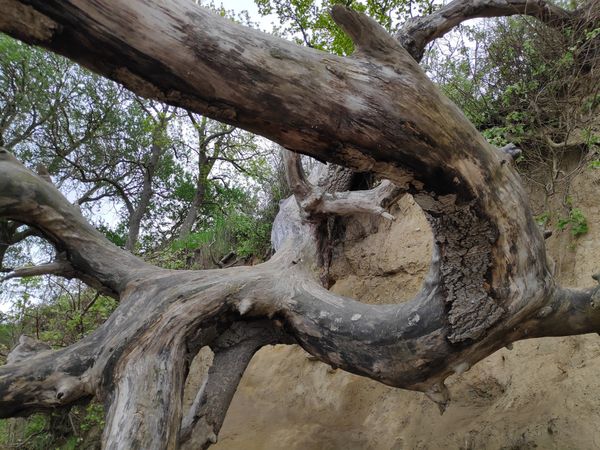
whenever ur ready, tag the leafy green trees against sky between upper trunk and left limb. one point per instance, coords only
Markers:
(101, 139)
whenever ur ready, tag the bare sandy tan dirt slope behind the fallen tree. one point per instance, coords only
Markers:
(544, 393)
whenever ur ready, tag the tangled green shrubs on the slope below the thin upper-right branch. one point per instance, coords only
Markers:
(521, 82)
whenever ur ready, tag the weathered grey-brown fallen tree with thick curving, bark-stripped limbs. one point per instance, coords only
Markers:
(374, 111)
